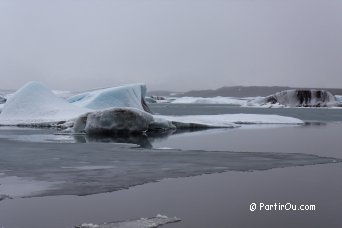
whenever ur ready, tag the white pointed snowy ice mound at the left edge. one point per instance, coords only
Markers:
(35, 103)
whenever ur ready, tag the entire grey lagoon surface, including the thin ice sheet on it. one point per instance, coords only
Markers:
(254, 163)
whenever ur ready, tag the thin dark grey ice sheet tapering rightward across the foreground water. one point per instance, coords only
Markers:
(82, 169)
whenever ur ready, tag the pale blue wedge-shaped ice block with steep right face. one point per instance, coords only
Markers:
(122, 96)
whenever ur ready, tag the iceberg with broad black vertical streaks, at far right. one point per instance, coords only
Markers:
(300, 98)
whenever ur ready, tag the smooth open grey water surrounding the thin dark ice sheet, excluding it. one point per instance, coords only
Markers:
(215, 200)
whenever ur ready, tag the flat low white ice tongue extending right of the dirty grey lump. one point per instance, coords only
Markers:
(229, 120)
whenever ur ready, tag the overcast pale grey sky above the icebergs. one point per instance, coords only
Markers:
(171, 44)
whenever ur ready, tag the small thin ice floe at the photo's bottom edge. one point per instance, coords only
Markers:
(157, 221)
